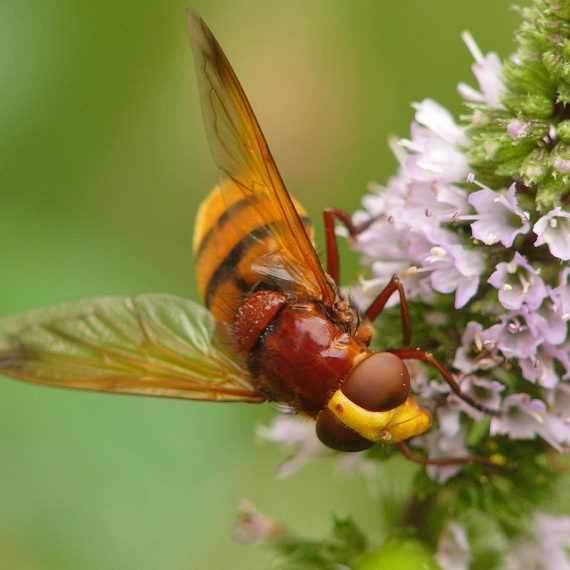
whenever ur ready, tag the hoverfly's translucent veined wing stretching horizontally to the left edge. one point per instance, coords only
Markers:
(155, 345)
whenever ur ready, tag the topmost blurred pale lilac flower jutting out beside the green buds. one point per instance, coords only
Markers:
(487, 70)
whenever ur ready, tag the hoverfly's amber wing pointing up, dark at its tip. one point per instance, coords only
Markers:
(243, 157)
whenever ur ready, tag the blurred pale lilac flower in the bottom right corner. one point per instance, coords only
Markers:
(543, 547)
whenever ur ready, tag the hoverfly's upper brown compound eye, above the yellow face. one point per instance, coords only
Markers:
(379, 383)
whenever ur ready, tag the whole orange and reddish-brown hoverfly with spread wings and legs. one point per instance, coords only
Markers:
(275, 326)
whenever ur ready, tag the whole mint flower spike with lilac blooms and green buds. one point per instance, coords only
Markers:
(476, 224)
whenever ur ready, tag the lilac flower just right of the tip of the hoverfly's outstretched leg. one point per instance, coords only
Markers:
(522, 417)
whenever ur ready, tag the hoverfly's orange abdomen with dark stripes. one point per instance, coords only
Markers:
(231, 235)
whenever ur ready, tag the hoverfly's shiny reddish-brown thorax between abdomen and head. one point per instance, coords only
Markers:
(297, 354)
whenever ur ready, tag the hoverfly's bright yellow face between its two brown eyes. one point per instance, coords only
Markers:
(405, 421)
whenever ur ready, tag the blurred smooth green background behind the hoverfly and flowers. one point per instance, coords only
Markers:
(103, 164)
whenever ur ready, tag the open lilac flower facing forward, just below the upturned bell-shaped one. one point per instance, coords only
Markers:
(518, 282)
